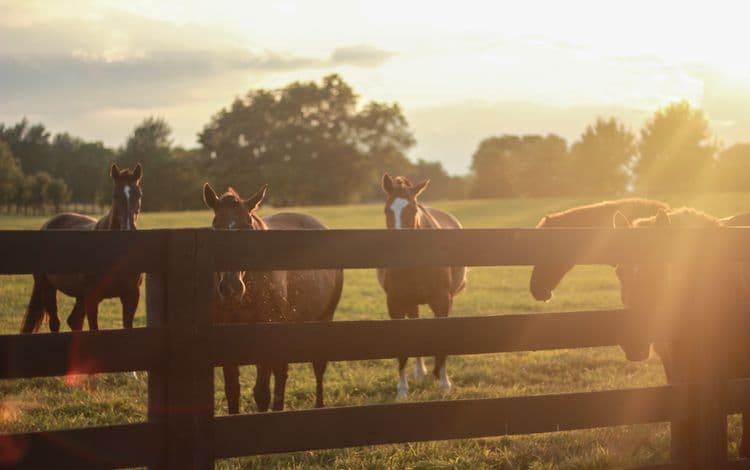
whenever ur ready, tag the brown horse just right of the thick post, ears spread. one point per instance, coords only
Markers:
(270, 296)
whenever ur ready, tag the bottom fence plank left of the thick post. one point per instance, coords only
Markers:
(126, 445)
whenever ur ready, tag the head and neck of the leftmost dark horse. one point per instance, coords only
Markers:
(126, 196)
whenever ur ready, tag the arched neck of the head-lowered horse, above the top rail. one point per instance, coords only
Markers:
(600, 214)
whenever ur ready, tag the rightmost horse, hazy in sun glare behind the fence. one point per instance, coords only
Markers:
(682, 289)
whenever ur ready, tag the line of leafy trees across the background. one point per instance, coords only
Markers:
(314, 144)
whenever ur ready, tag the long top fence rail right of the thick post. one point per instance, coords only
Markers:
(305, 249)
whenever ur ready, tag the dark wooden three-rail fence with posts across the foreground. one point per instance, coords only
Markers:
(180, 346)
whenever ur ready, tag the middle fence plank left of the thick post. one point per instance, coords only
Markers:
(86, 352)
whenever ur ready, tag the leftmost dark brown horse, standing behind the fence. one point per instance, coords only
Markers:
(89, 290)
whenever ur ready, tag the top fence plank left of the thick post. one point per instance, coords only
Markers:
(68, 251)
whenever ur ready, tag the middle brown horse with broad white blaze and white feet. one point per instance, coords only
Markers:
(407, 288)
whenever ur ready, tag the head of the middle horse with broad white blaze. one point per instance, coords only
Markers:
(401, 206)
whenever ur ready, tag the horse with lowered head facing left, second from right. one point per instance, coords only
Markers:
(546, 276)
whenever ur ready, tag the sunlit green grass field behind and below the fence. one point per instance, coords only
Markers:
(51, 403)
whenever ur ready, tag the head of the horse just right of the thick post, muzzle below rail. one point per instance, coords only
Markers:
(231, 212)
